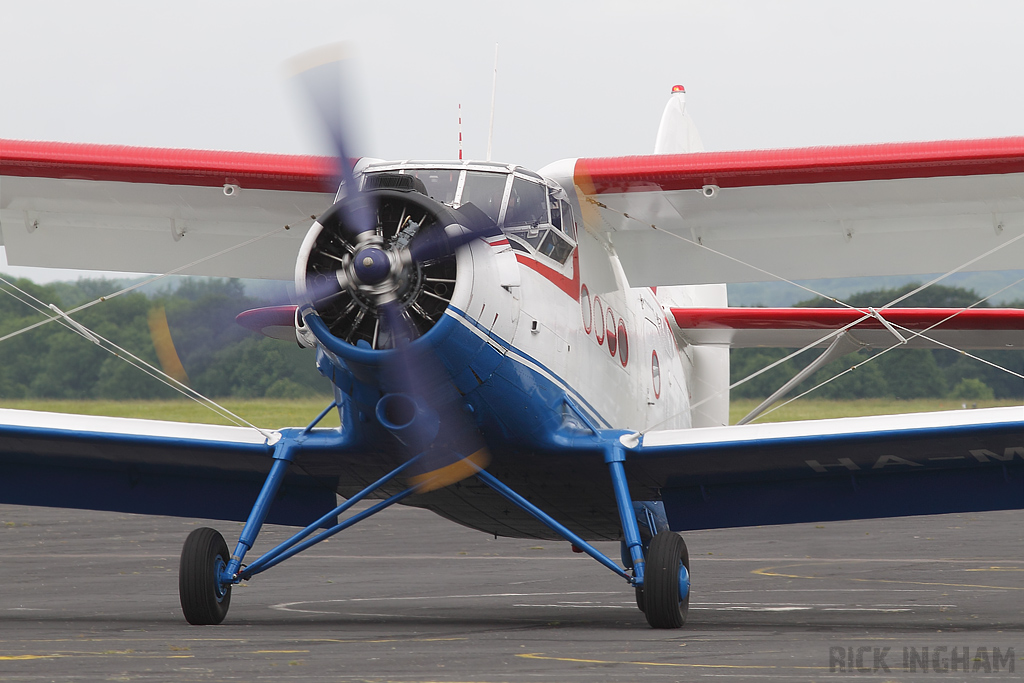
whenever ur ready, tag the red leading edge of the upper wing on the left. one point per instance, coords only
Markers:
(168, 167)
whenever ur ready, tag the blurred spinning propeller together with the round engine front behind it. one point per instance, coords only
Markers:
(380, 273)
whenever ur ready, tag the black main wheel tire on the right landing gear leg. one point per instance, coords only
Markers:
(662, 605)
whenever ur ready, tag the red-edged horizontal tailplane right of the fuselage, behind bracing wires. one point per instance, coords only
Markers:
(794, 328)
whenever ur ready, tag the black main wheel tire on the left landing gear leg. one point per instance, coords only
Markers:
(204, 601)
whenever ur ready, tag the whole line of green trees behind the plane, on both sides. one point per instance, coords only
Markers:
(223, 359)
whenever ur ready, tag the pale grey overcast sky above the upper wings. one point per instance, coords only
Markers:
(576, 78)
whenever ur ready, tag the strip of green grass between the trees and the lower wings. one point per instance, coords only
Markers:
(273, 414)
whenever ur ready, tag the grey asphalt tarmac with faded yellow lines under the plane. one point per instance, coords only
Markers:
(408, 596)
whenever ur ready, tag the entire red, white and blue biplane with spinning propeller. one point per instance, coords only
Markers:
(532, 355)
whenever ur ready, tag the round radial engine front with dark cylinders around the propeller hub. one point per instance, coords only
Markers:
(347, 275)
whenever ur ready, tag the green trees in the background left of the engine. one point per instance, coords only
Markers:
(221, 358)
